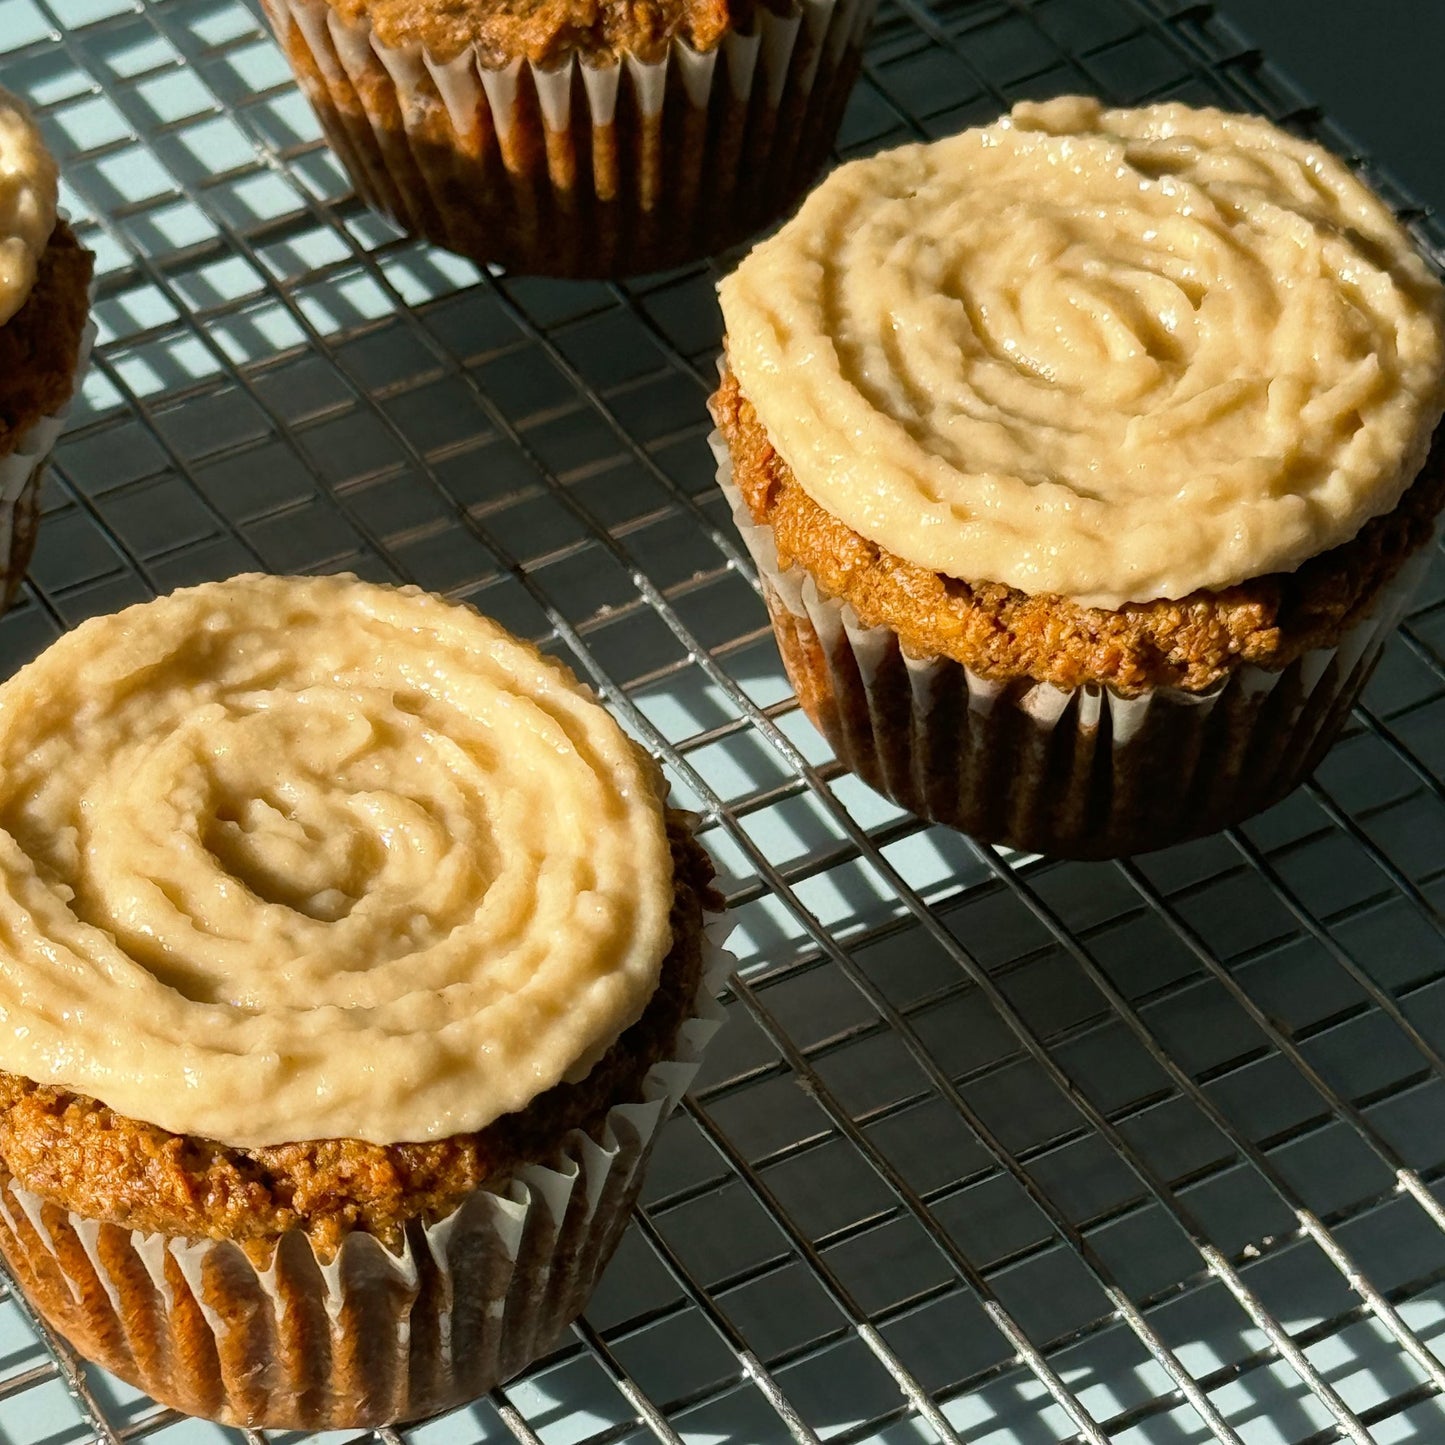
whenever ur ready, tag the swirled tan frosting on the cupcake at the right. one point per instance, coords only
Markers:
(1108, 355)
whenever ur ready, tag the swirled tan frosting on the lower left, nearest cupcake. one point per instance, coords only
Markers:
(287, 859)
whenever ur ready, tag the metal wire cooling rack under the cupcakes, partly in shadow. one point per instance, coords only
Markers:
(993, 1149)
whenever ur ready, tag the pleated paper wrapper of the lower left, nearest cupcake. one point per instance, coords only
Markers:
(368, 1337)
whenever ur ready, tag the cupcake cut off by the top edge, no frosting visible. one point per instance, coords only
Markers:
(577, 139)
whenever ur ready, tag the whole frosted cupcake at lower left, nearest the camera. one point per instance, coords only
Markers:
(350, 963)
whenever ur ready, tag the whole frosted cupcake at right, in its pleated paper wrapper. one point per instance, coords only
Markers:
(1087, 459)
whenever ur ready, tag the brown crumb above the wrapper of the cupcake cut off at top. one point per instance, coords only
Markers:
(548, 31)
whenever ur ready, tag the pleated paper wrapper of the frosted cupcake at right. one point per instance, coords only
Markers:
(1080, 772)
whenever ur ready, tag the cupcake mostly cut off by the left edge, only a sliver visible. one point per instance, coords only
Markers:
(46, 333)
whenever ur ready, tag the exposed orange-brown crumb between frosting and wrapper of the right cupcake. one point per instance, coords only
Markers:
(1002, 634)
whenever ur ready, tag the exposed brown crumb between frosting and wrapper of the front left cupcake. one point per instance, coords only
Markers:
(85, 1157)
